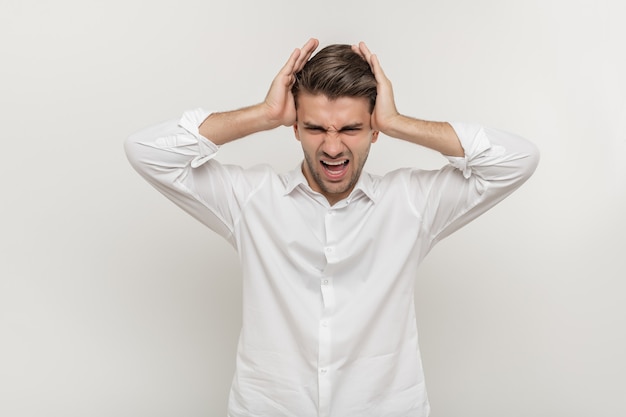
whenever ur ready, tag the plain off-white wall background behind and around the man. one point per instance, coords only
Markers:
(113, 302)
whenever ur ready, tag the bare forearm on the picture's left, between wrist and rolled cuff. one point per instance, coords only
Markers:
(224, 127)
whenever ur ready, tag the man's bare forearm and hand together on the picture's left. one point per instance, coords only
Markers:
(278, 108)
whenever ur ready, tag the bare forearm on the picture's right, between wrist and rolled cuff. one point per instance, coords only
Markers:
(439, 136)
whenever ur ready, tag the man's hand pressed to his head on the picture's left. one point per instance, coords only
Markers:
(279, 102)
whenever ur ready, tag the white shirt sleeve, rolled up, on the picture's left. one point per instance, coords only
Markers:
(179, 162)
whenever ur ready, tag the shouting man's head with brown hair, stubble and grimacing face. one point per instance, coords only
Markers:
(335, 94)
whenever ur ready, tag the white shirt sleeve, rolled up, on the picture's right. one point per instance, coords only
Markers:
(495, 164)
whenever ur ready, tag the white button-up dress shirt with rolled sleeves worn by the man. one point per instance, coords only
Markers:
(328, 303)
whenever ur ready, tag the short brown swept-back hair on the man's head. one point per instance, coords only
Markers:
(336, 71)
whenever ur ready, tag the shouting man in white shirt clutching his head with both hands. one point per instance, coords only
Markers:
(329, 253)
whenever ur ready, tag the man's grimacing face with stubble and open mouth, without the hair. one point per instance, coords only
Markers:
(336, 136)
